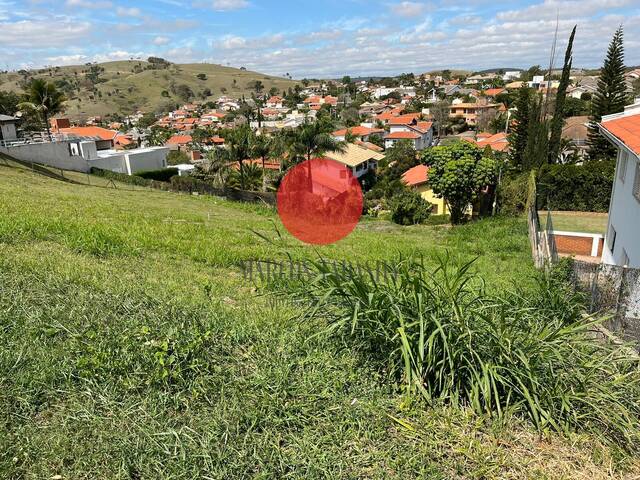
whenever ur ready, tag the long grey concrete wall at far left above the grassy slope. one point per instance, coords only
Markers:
(56, 154)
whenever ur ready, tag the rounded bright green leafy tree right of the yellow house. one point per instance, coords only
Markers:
(457, 173)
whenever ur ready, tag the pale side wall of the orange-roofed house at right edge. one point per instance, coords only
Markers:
(624, 215)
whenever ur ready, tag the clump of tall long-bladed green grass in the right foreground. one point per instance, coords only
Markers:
(440, 336)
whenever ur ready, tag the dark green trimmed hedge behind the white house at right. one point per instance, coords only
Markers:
(585, 188)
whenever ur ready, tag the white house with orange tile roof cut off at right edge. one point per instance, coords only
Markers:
(622, 243)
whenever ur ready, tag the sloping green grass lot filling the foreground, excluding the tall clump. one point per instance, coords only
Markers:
(131, 346)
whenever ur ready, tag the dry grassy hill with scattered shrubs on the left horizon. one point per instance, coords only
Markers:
(126, 86)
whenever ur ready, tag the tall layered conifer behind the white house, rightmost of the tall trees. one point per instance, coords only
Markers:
(610, 97)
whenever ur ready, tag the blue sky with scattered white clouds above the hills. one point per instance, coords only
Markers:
(314, 39)
